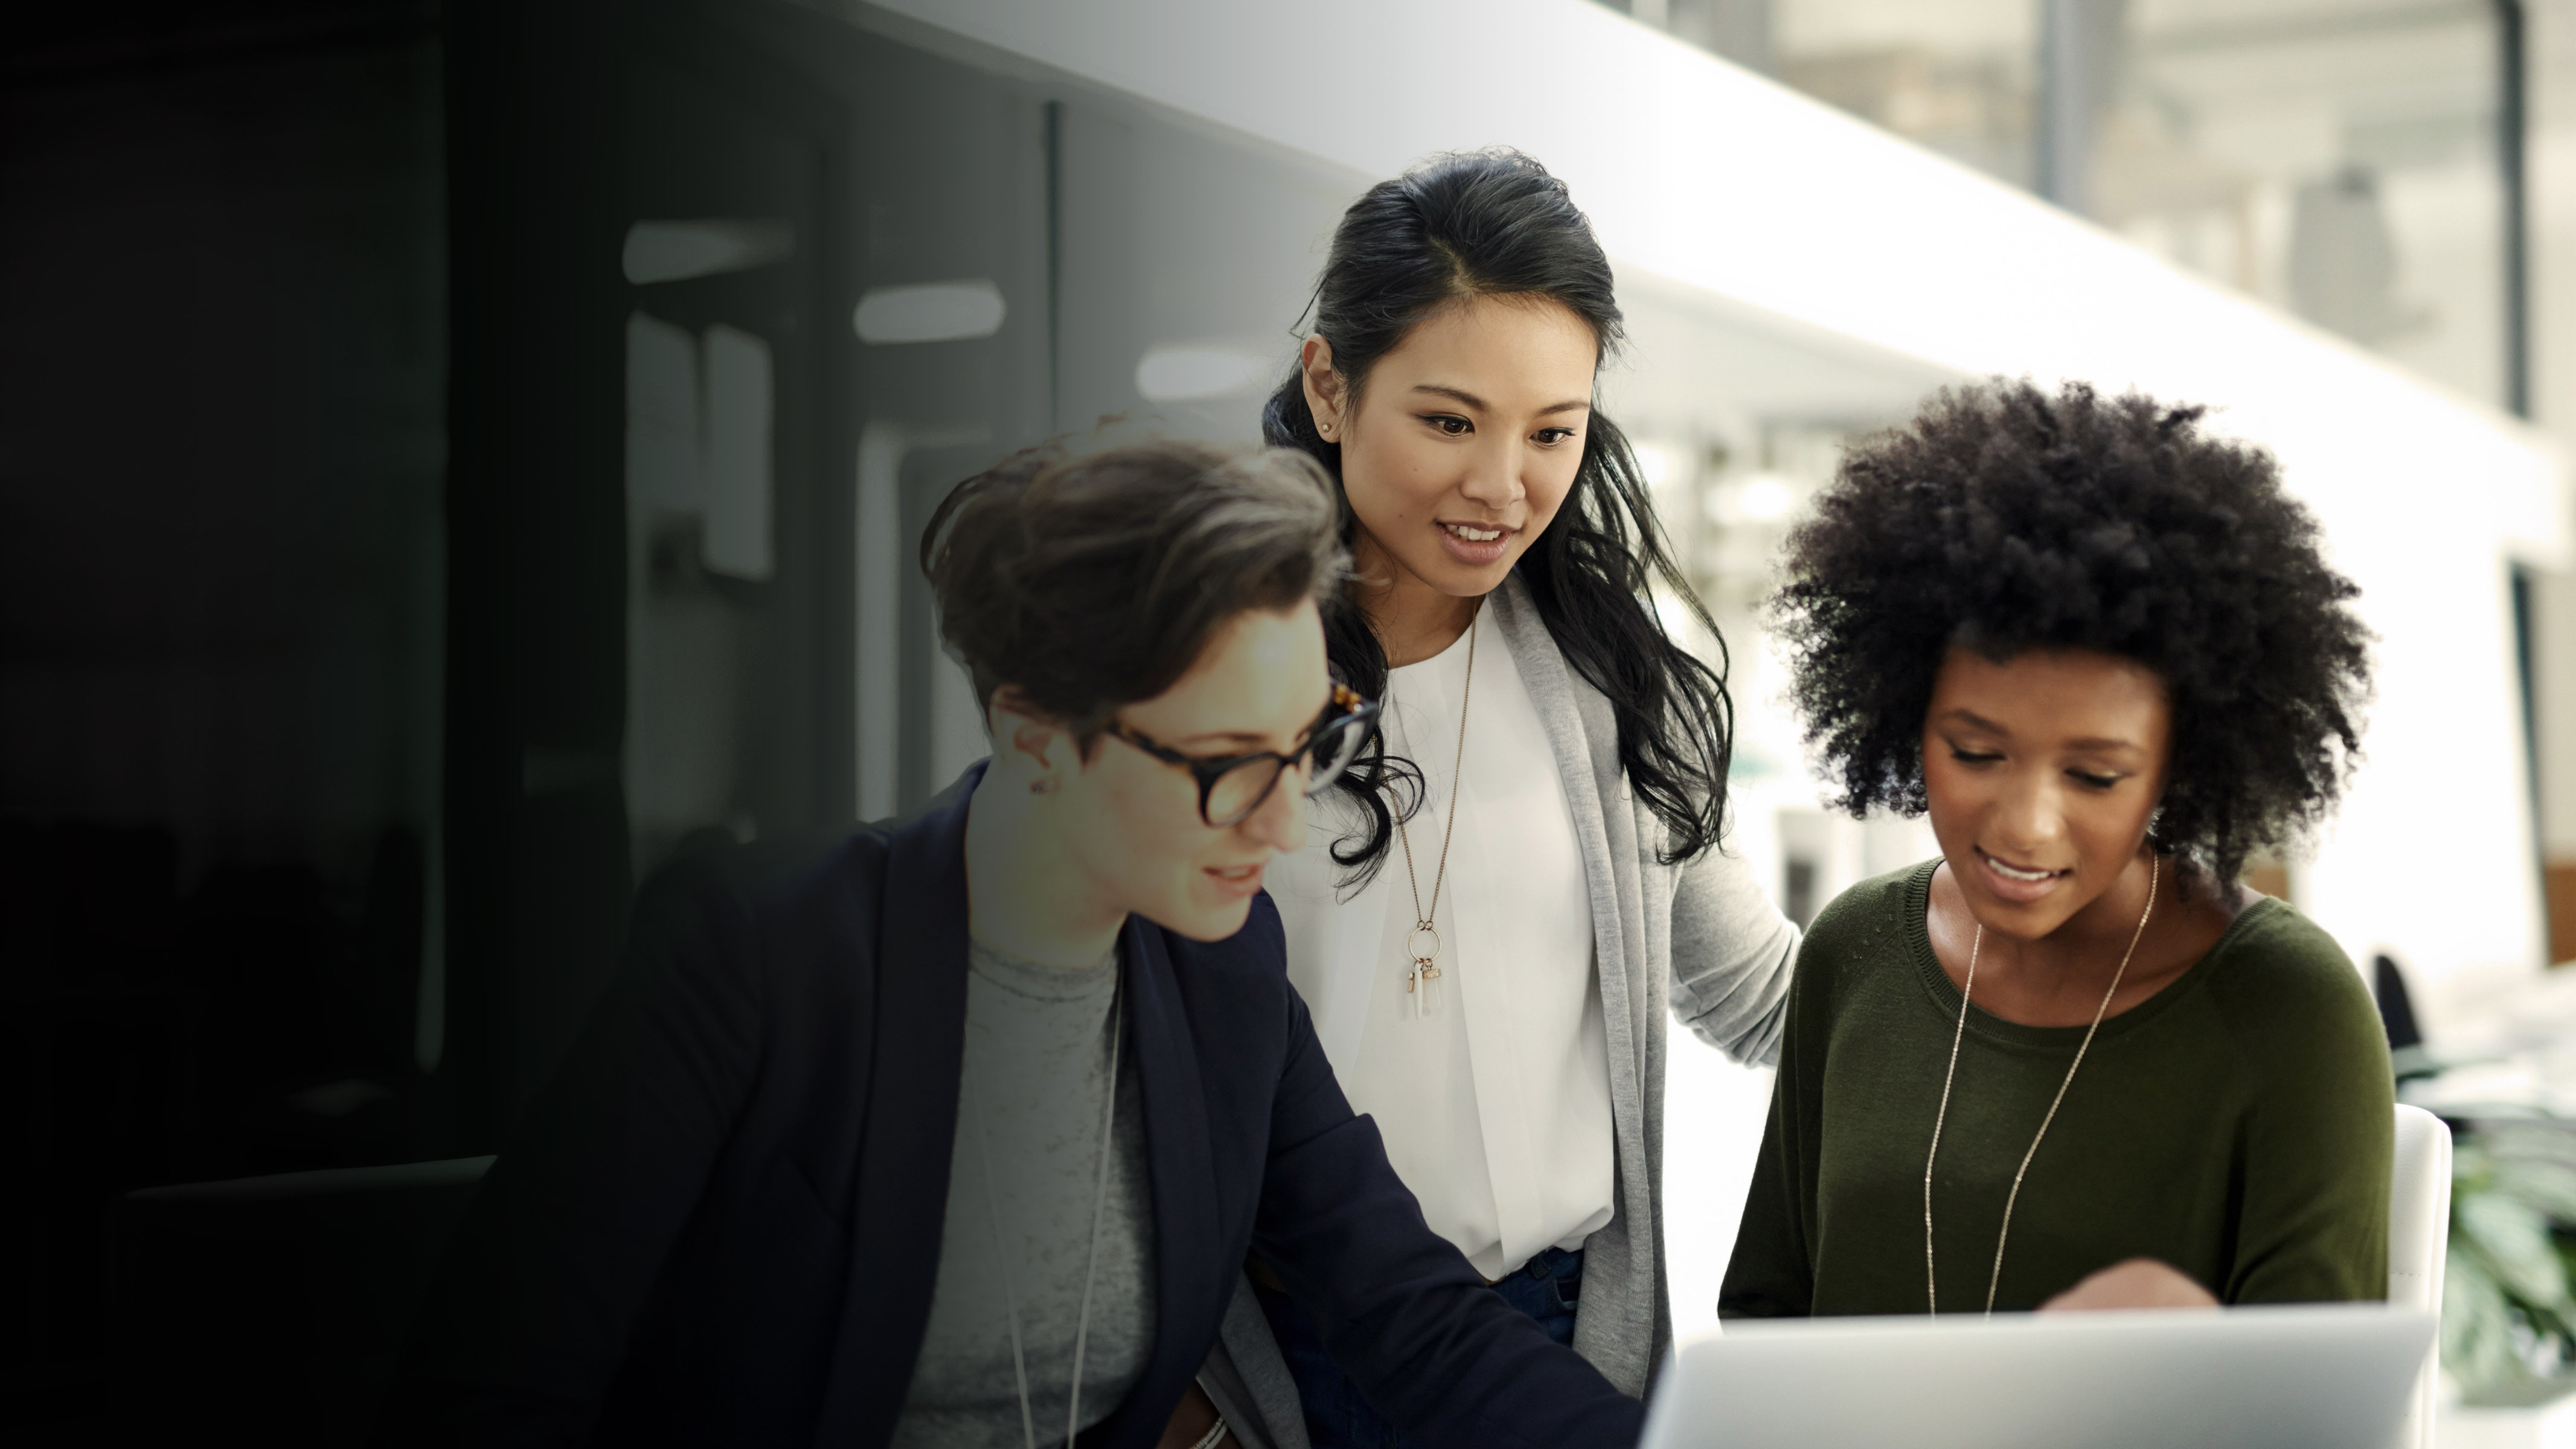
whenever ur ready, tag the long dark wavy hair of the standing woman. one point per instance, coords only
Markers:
(1498, 225)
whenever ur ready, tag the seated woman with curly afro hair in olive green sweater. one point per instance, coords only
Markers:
(2072, 1062)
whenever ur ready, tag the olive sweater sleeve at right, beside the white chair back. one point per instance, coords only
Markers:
(2320, 1126)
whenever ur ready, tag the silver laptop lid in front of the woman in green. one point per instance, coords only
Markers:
(2242, 1378)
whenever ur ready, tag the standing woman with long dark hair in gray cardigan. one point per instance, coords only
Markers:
(1516, 887)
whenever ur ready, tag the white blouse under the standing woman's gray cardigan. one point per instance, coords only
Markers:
(1493, 1085)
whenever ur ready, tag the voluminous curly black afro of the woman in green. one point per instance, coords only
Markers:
(2013, 519)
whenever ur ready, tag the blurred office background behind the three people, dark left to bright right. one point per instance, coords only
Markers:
(462, 454)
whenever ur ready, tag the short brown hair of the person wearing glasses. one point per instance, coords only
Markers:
(1096, 580)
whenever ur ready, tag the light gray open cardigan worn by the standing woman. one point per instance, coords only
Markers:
(1699, 938)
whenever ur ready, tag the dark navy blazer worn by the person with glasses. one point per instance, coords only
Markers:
(723, 1221)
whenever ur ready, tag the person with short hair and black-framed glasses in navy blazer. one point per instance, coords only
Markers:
(957, 1131)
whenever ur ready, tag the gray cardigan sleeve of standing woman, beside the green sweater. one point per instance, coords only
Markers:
(1732, 954)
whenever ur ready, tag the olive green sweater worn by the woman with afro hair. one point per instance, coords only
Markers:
(2235, 1126)
